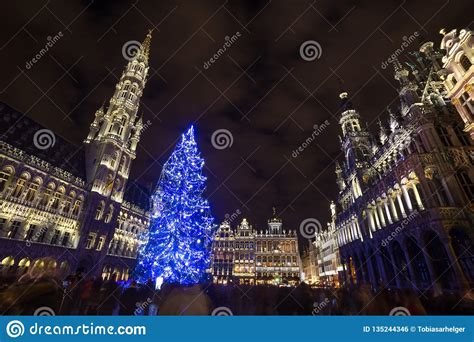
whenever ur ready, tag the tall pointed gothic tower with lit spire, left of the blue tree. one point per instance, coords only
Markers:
(110, 147)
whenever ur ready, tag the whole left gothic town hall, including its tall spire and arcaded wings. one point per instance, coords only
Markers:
(73, 207)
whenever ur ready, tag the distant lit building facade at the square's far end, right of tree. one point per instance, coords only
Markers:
(257, 257)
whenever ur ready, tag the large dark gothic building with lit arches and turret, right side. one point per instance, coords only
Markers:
(404, 212)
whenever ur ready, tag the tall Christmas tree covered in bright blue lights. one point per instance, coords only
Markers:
(181, 232)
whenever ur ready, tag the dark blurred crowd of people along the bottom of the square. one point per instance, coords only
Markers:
(78, 294)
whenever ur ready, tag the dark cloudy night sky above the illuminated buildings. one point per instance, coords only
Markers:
(260, 90)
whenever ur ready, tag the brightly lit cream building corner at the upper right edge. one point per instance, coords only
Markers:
(459, 80)
